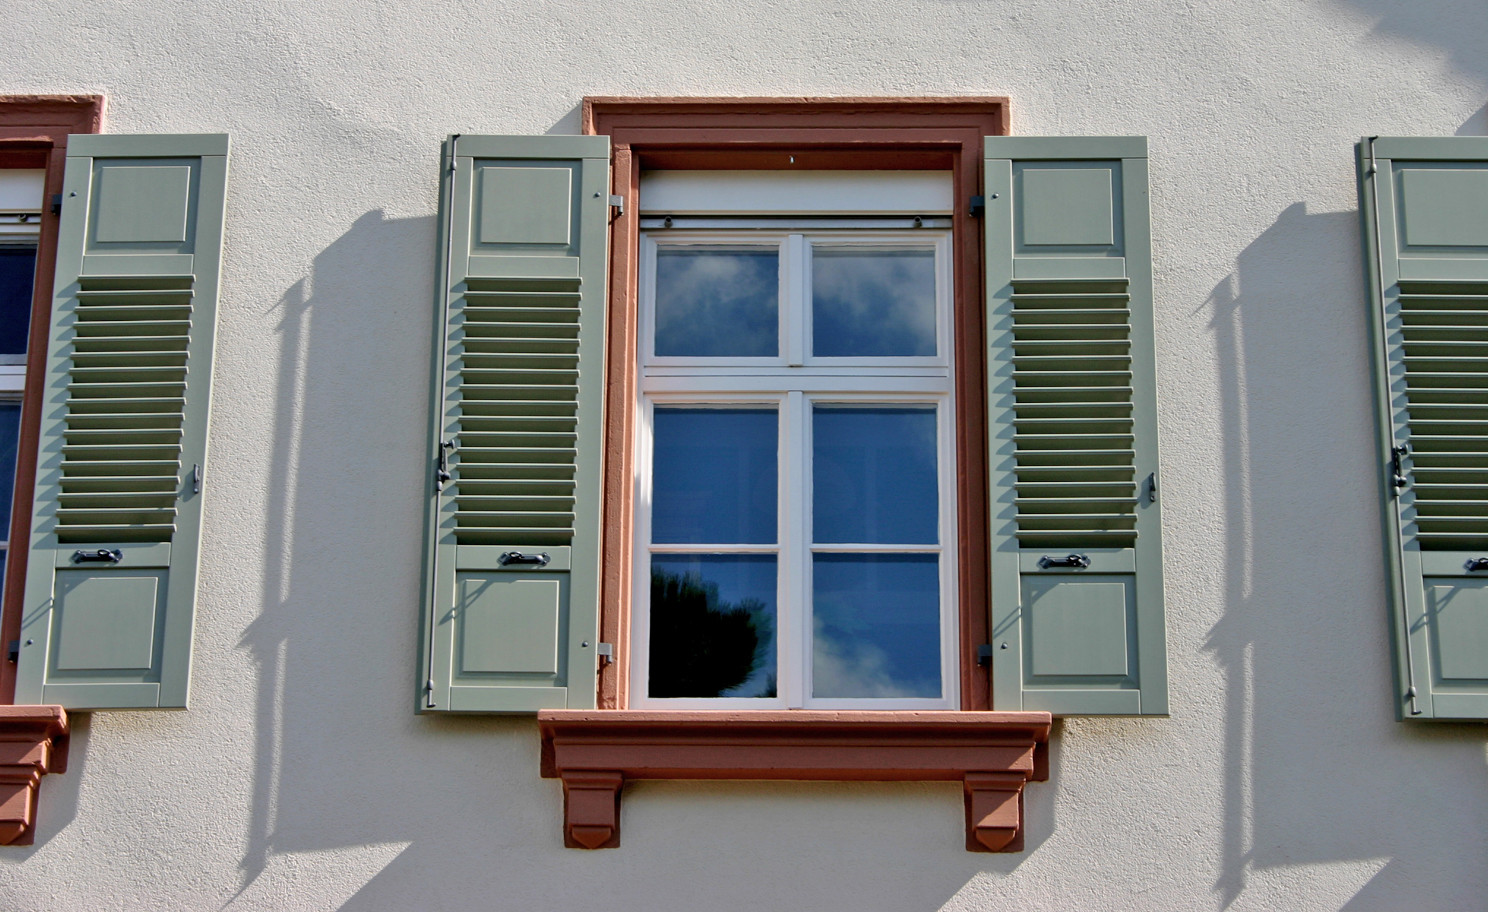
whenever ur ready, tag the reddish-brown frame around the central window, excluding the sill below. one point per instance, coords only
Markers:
(833, 135)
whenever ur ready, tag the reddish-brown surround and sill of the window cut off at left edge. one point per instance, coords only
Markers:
(33, 740)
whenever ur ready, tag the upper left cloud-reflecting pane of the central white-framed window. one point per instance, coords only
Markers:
(718, 303)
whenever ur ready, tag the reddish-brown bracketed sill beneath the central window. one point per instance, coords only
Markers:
(594, 752)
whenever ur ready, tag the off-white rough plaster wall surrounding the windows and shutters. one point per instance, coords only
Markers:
(301, 779)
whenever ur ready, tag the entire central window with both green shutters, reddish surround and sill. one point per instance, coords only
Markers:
(733, 447)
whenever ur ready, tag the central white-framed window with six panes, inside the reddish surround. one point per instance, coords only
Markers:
(797, 452)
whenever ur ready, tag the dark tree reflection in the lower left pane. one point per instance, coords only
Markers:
(705, 646)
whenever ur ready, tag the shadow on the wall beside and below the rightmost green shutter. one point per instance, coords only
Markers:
(1318, 771)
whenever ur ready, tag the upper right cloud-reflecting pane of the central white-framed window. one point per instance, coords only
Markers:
(873, 303)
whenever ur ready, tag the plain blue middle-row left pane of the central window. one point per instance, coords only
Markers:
(713, 477)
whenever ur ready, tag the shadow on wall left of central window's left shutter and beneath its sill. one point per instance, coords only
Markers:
(353, 792)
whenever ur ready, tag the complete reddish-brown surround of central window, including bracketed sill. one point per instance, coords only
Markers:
(594, 752)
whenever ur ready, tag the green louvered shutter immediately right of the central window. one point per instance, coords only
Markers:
(1078, 624)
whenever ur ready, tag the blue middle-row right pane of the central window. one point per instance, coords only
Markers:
(874, 475)
